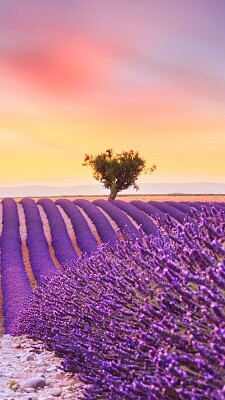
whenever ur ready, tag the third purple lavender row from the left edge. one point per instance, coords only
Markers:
(64, 249)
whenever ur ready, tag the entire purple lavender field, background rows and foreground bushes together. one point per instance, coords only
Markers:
(130, 294)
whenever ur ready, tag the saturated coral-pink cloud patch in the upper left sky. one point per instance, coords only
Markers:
(70, 66)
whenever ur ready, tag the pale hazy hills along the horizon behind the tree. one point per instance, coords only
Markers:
(96, 190)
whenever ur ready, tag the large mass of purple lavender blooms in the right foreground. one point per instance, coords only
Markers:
(144, 320)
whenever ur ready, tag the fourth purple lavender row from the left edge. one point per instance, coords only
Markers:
(85, 239)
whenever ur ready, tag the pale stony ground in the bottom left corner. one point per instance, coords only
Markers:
(29, 372)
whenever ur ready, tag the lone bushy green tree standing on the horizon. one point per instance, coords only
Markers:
(117, 172)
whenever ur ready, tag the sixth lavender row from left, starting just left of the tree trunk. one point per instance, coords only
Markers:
(119, 216)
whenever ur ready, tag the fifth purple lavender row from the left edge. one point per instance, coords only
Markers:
(104, 228)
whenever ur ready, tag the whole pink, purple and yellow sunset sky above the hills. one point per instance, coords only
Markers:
(81, 76)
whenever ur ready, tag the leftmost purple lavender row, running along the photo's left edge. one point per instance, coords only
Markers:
(15, 283)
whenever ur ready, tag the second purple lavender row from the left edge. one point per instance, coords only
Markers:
(40, 258)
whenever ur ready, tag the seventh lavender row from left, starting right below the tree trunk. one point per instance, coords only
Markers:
(147, 224)
